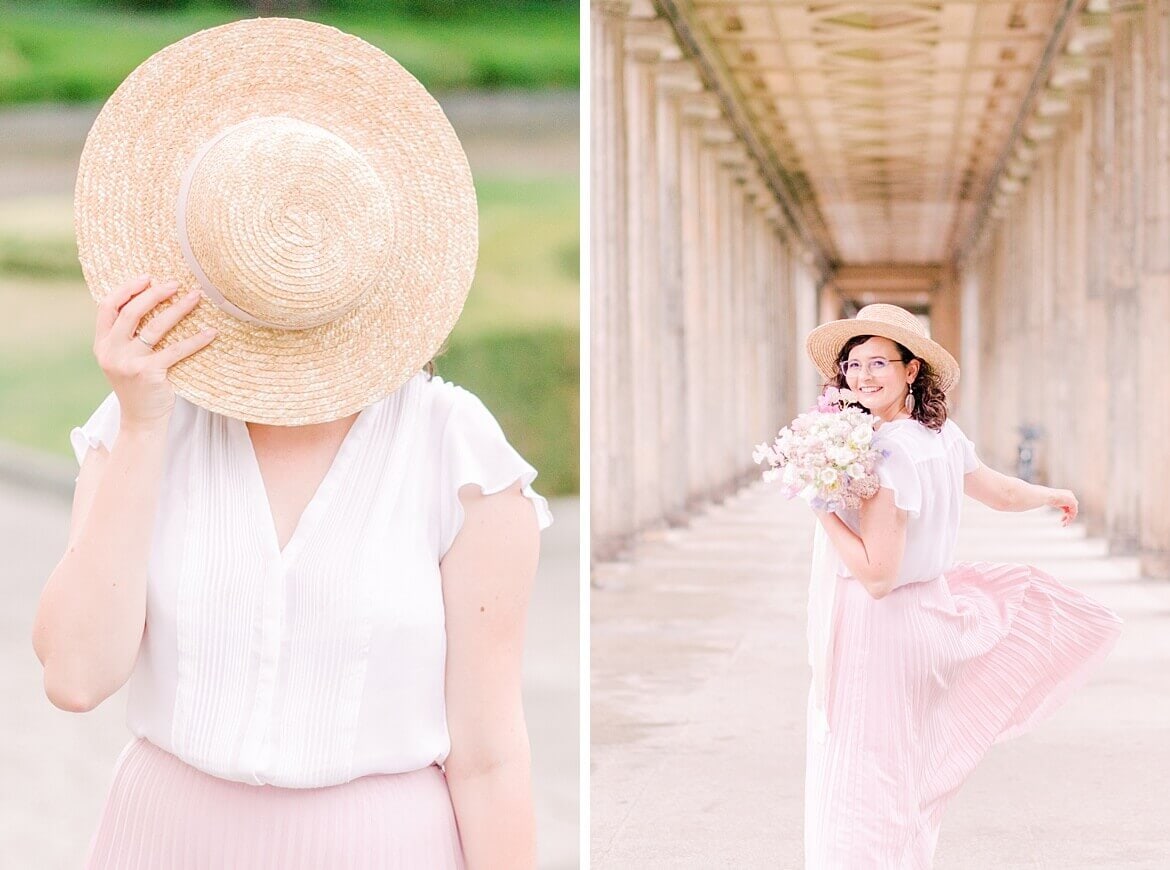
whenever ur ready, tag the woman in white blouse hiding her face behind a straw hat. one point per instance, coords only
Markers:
(309, 557)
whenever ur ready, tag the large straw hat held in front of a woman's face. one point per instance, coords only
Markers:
(313, 189)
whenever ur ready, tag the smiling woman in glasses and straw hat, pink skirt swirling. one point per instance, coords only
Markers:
(921, 665)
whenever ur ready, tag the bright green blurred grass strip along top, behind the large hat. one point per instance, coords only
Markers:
(71, 52)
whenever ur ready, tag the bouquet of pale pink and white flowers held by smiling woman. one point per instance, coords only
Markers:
(827, 455)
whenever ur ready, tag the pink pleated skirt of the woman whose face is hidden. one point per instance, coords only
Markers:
(163, 813)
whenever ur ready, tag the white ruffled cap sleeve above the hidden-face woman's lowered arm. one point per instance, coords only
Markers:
(476, 451)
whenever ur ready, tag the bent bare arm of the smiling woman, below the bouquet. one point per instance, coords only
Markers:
(876, 557)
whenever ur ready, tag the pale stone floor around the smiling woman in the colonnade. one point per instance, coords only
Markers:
(700, 681)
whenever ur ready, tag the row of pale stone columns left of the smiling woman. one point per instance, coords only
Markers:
(699, 291)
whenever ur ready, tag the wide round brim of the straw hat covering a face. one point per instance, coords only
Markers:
(183, 96)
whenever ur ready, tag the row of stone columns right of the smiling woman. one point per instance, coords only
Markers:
(1066, 301)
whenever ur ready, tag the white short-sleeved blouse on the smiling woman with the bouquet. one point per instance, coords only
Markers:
(925, 469)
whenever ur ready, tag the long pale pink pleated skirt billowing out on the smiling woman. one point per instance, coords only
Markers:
(924, 682)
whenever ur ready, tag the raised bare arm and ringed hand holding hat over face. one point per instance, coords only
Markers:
(91, 619)
